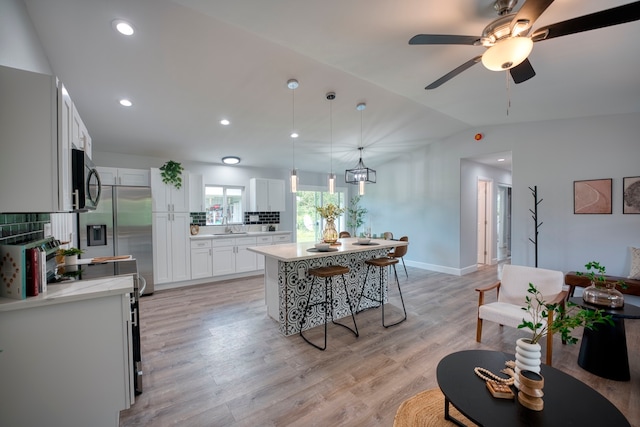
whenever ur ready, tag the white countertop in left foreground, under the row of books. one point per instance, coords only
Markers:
(58, 293)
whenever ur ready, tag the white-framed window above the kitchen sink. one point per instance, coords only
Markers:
(223, 204)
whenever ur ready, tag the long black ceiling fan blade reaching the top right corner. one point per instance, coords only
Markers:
(605, 18)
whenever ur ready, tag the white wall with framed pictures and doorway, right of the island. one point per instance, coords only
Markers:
(420, 195)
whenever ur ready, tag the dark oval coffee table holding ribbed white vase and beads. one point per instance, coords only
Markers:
(469, 394)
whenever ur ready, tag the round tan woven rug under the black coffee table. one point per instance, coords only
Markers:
(426, 409)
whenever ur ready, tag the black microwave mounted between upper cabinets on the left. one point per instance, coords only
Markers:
(85, 181)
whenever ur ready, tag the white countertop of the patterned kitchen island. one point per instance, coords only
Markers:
(297, 251)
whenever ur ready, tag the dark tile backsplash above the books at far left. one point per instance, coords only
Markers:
(22, 228)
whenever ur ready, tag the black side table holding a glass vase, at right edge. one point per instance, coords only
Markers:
(603, 350)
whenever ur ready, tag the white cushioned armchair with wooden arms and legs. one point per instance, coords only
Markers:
(511, 292)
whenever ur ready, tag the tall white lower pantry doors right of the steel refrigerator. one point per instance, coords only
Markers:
(171, 249)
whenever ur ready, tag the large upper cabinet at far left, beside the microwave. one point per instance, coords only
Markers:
(30, 180)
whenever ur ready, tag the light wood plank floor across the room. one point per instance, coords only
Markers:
(212, 357)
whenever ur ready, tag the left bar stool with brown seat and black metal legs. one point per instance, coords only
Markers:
(328, 272)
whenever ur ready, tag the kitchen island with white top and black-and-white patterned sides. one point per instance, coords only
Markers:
(287, 283)
